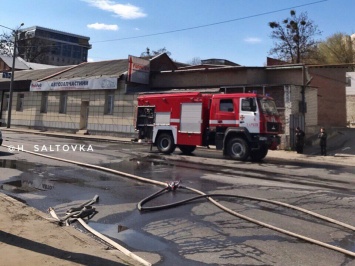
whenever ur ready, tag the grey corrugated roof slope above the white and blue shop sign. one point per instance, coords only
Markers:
(112, 68)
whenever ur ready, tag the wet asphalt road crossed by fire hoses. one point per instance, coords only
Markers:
(197, 233)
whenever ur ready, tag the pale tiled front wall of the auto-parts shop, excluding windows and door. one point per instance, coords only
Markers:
(120, 122)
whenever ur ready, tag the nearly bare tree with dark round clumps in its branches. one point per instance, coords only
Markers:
(294, 38)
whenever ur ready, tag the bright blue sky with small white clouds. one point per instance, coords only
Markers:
(116, 27)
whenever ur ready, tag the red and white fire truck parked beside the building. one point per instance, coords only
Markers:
(243, 125)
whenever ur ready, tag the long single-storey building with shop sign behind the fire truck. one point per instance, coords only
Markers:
(306, 96)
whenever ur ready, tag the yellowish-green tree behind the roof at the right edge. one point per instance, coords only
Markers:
(339, 48)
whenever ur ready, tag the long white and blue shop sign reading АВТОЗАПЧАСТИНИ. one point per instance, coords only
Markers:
(75, 84)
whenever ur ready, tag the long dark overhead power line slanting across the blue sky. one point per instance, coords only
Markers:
(211, 24)
